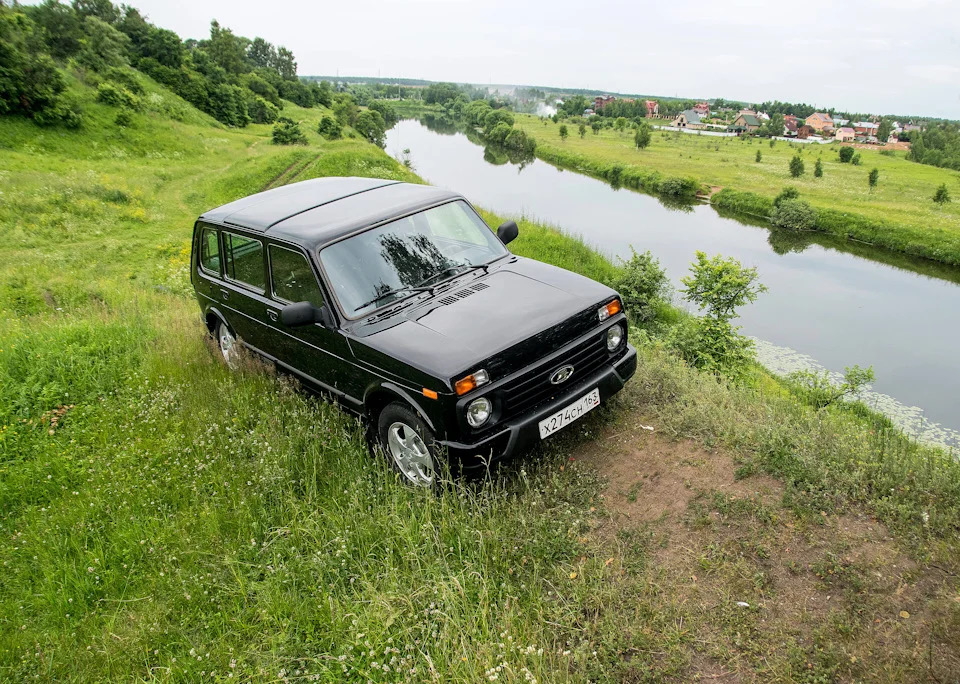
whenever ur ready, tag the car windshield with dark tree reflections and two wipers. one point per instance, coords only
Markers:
(384, 264)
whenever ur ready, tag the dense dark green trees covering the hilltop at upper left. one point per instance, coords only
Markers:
(234, 79)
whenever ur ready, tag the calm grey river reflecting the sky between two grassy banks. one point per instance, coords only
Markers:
(825, 307)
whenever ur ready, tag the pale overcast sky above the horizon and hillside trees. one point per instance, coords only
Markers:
(873, 56)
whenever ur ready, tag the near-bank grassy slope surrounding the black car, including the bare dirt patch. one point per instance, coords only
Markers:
(164, 519)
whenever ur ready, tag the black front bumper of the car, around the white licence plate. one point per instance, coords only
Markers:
(523, 430)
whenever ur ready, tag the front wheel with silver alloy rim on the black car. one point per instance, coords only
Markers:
(408, 443)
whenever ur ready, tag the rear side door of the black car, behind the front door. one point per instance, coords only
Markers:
(243, 296)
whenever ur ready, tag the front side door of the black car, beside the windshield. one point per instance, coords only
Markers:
(319, 352)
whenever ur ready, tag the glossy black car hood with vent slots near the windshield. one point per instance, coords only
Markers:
(477, 319)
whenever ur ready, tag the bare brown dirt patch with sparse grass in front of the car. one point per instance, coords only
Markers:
(765, 588)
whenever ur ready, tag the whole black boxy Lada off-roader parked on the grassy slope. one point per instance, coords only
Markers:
(398, 301)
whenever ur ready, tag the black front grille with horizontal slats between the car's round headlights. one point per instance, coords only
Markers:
(534, 387)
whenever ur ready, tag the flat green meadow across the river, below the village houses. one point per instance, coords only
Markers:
(899, 213)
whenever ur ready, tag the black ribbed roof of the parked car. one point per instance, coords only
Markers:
(315, 212)
